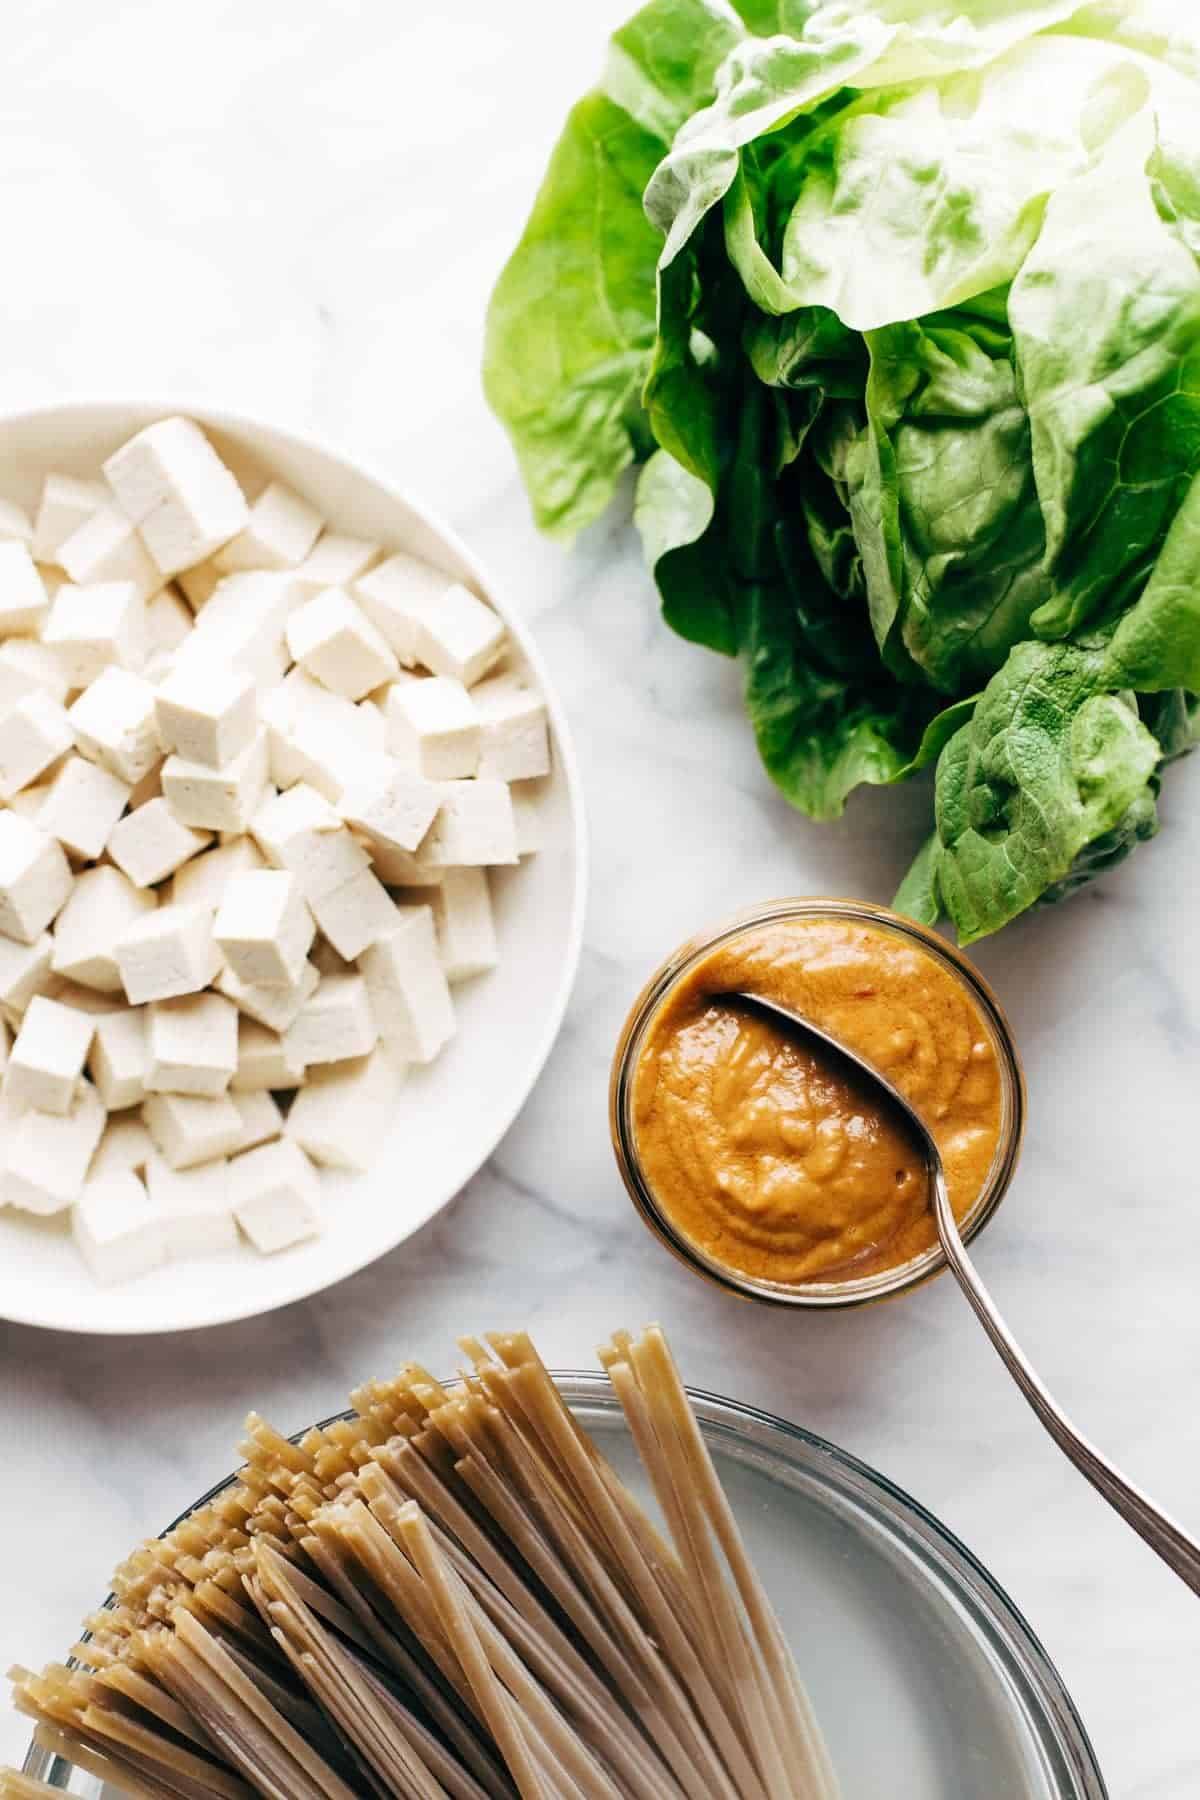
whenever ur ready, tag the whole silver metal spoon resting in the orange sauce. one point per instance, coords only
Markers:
(1156, 1527)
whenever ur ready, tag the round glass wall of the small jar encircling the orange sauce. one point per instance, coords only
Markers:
(850, 1291)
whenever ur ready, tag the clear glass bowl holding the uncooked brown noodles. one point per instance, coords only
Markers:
(927, 1680)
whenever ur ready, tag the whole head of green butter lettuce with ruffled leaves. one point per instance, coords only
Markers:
(897, 310)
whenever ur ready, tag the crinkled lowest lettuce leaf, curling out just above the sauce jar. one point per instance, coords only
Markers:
(1050, 766)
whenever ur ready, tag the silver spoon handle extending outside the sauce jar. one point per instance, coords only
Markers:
(1156, 1527)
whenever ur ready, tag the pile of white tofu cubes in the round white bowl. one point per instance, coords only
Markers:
(253, 777)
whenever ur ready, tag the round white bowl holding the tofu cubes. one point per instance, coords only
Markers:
(451, 1115)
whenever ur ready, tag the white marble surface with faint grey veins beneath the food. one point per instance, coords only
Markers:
(298, 208)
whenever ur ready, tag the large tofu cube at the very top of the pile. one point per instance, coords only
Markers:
(174, 485)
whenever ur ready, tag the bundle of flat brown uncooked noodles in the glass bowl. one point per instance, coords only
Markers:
(449, 1594)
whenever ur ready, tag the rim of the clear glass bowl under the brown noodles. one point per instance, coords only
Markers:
(942, 1556)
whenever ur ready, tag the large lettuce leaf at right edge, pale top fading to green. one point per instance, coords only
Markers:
(1107, 328)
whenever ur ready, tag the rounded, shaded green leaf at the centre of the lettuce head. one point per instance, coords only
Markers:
(944, 501)
